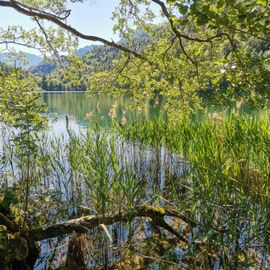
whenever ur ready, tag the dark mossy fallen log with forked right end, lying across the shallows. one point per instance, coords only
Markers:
(84, 224)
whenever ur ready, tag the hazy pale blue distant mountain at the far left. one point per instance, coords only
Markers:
(25, 61)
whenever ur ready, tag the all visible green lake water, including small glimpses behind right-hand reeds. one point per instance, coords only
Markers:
(83, 110)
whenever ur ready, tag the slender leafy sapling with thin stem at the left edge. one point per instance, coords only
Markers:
(20, 108)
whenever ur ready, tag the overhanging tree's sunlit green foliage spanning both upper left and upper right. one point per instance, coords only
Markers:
(199, 47)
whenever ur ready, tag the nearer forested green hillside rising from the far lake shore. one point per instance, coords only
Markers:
(95, 58)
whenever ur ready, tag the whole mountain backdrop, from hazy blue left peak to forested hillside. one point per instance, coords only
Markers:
(94, 58)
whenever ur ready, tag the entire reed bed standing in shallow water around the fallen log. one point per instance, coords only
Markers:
(214, 171)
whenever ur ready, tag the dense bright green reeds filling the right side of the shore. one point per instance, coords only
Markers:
(228, 178)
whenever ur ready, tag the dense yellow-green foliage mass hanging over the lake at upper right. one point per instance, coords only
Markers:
(203, 47)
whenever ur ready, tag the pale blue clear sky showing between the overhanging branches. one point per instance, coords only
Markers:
(92, 17)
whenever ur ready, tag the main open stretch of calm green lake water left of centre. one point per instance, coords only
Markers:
(83, 110)
